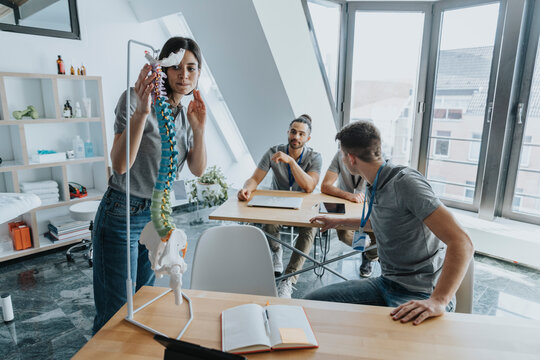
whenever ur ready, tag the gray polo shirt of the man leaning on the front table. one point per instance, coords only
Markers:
(410, 254)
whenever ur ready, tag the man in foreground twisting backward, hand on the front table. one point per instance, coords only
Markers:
(423, 252)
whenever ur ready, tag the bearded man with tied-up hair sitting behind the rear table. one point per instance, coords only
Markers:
(296, 167)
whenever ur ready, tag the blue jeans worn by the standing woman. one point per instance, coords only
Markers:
(110, 256)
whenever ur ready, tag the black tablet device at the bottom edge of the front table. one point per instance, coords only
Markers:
(178, 349)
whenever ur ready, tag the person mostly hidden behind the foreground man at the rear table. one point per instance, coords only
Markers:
(349, 187)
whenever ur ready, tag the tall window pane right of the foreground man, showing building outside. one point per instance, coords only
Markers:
(464, 60)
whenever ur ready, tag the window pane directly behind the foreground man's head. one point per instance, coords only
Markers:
(384, 75)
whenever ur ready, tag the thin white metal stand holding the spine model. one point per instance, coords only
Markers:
(129, 284)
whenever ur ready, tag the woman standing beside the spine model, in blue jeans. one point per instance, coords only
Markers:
(109, 234)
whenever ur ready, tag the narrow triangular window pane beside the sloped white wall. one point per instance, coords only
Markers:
(326, 20)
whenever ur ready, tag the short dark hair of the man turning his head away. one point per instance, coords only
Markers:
(361, 138)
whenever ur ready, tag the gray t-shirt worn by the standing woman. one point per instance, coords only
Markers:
(145, 168)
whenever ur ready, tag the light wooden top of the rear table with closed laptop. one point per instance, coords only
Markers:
(236, 210)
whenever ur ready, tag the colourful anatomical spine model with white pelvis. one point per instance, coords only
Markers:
(161, 237)
